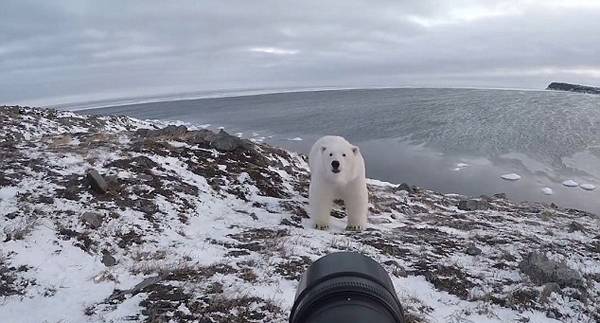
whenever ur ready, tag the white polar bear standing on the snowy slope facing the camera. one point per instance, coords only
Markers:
(337, 171)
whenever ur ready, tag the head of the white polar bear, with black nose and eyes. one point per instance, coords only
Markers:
(340, 162)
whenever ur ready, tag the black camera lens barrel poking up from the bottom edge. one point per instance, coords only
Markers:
(346, 287)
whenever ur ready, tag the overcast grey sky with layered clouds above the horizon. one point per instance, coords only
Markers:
(65, 51)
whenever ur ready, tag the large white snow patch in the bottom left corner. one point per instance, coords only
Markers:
(68, 274)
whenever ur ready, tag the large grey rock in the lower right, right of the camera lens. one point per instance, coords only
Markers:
(542, 270)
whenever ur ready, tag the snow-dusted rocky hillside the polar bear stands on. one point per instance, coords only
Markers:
(111, 219)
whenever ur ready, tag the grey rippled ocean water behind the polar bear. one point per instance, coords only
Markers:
(450, 140)
